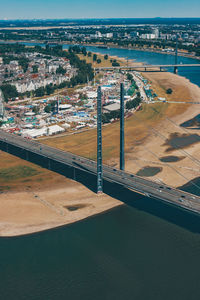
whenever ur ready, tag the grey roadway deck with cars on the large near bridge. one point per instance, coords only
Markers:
(143, 186)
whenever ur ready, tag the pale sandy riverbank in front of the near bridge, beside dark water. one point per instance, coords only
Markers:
(36, 210)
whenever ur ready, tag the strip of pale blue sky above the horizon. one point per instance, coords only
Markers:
(42, 9)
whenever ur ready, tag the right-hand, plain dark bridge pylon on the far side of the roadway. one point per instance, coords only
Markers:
(121, 126)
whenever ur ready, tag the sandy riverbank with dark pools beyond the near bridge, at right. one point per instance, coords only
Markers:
(153, 148)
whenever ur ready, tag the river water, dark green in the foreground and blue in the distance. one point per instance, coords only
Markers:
(143, 250)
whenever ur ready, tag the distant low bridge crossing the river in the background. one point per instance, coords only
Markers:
(146, 67)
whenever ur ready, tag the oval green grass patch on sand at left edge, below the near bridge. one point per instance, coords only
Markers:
(13, 173)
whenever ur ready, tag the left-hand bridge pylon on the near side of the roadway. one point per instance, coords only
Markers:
(99, 143)
